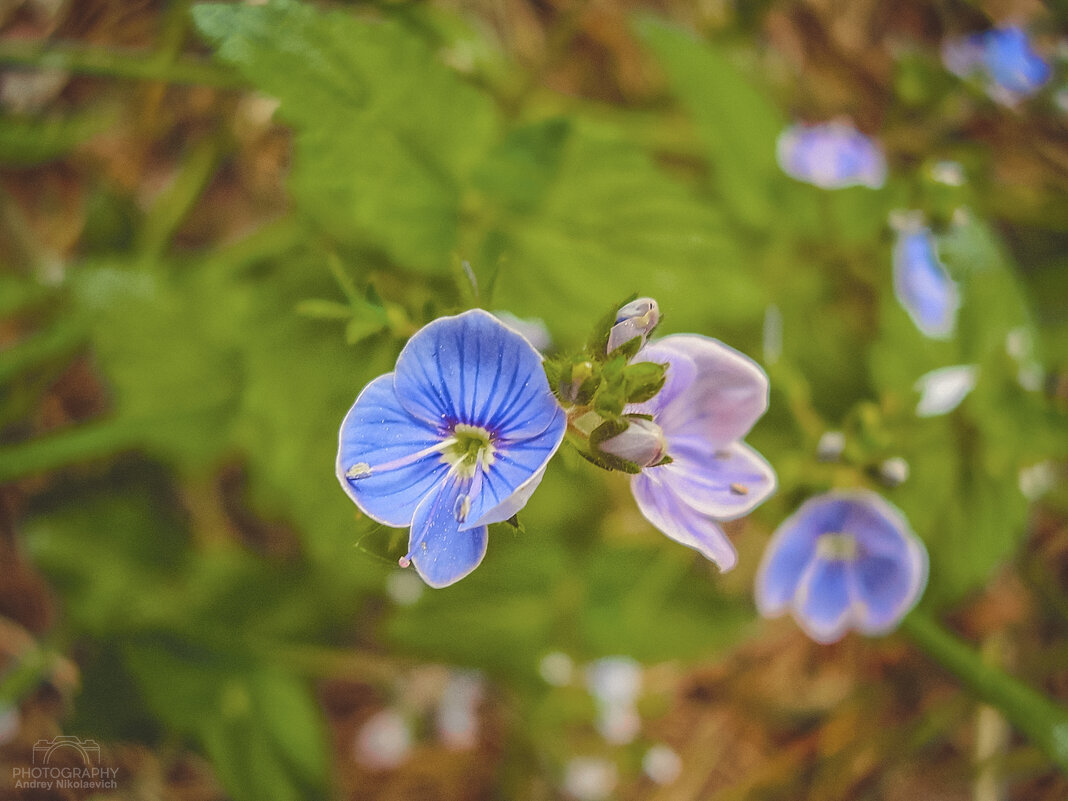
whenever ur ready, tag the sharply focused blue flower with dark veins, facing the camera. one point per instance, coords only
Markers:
(457, 438)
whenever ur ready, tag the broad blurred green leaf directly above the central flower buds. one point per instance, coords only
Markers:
(611, 225)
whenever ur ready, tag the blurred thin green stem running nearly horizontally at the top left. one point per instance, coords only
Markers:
(117, 64)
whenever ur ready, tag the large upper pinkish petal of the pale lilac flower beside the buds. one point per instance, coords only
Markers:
(728, 396)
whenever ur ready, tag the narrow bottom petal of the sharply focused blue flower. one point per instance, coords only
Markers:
(442, 553)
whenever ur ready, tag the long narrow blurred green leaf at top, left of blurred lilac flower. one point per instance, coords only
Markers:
(736, 122)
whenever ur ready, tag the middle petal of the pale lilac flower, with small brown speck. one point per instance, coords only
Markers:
(726, 484)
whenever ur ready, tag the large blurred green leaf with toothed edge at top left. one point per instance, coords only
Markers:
(382, 152)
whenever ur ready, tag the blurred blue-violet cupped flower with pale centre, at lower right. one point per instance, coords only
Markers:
(845, 560)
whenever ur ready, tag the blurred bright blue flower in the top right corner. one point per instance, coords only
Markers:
(1004, 57)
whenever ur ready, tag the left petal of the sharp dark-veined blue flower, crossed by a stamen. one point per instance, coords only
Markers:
(378, 431)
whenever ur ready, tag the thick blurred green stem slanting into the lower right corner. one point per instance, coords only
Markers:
(1042, 720)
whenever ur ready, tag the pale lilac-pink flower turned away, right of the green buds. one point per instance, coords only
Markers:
(712, 398)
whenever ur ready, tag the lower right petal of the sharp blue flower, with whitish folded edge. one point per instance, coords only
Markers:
(514, 476)
